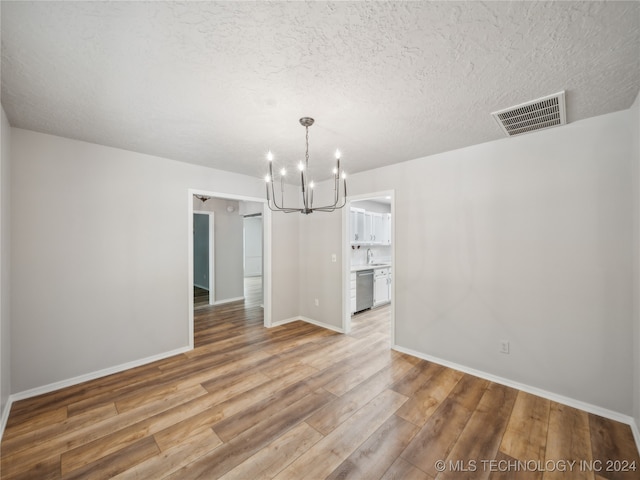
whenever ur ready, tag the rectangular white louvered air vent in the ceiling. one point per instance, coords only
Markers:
(545, 112)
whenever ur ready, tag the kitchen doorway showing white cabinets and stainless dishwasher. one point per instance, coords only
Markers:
(369, 247)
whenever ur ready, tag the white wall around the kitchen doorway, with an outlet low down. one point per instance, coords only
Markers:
(526, 239)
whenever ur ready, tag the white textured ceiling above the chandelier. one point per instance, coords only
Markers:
(220, 83)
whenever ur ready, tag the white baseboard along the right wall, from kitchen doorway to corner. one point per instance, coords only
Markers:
(571, 402)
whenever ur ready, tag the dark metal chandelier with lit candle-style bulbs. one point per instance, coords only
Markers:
(306, 186)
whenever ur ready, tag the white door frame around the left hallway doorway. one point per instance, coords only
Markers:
(266, 252)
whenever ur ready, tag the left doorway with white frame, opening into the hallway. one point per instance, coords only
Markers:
(227, 266)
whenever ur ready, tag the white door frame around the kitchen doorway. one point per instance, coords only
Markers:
(346, 258)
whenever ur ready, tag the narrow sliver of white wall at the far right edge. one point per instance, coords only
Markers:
(634, 122)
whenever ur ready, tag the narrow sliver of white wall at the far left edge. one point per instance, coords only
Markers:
(5, 264)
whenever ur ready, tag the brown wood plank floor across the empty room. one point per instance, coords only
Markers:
(301, 402)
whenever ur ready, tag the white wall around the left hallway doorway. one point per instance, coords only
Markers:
(99, 257)
